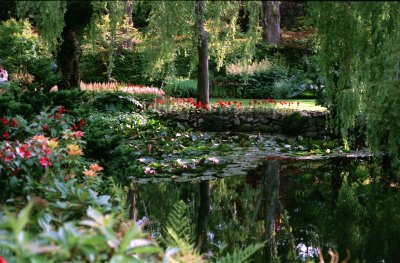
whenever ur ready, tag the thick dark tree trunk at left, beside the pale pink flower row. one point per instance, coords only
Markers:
(68, 60)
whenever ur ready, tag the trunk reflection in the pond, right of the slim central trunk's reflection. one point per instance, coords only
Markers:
(271, 197)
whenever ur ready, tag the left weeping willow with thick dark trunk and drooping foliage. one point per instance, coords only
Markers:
(62, 24)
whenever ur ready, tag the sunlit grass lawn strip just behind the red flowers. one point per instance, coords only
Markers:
(307, 104)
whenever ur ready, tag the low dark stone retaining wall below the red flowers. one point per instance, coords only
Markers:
(304, 123)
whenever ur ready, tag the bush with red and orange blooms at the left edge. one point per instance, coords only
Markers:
(49, 147)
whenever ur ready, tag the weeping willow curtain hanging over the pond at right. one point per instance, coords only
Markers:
(359, 51)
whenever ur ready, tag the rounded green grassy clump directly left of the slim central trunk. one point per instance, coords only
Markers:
(185, 88)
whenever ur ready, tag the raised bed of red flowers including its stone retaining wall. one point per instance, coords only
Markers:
(257, 116)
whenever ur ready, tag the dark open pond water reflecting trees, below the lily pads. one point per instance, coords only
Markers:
(346, 209)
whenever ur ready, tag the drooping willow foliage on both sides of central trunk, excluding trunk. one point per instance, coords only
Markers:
(170, 35)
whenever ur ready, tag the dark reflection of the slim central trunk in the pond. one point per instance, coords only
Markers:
(203, 214)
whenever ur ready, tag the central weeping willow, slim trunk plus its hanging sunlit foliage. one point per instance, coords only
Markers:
(196, 29)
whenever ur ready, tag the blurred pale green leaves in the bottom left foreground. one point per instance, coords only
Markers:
(97, 238)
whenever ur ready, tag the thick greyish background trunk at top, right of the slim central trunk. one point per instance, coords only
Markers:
(271, 21)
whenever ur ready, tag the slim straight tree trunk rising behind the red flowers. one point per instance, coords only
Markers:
(202, 47)
